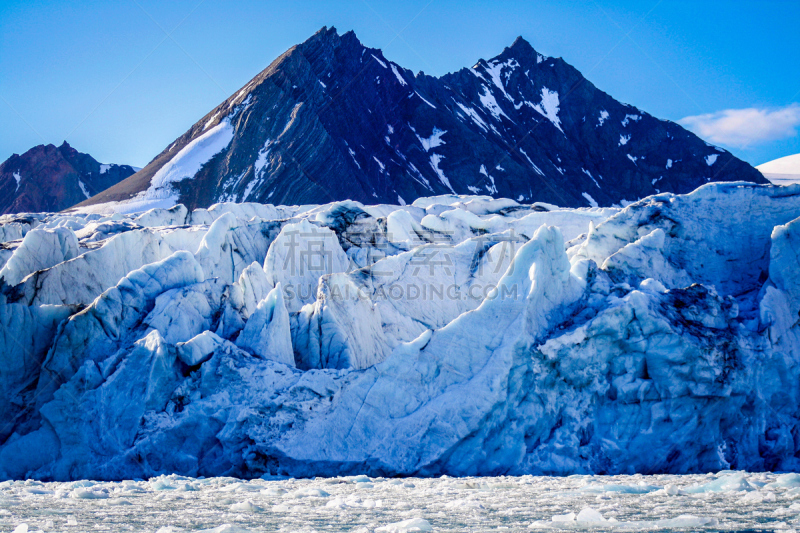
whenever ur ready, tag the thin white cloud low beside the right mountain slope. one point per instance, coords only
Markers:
(744, 127)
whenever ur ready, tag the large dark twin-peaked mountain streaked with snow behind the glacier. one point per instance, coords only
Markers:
(331, 119)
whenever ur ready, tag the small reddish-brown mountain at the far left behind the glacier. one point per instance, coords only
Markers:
(46, 178)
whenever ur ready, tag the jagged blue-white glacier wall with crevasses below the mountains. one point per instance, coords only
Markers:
(458, 335)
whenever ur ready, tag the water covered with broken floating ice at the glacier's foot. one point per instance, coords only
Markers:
(172, 504)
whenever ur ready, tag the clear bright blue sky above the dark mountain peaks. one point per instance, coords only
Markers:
(122, 79)
